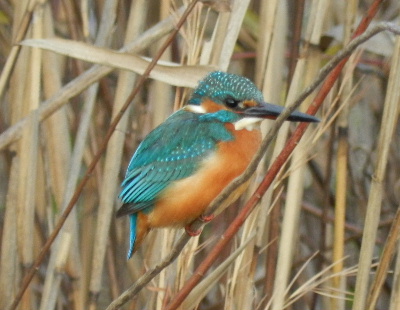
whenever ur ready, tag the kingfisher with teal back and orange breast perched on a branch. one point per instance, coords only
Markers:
(185, 162)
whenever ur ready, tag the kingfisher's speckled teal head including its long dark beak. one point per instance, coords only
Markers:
(239, 96)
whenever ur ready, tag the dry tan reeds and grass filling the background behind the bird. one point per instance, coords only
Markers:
(324, 235)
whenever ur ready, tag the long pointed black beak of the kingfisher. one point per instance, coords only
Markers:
(271, 111)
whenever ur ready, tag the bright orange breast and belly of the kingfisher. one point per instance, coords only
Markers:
(187, 199)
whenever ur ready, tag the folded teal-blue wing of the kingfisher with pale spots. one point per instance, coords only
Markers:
(171, 152)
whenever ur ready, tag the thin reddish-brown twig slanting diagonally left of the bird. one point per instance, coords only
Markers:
(28, 278)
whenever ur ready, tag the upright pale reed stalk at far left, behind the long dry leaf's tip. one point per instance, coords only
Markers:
(29, 151)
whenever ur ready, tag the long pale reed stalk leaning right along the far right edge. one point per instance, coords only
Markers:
(390, 114)
